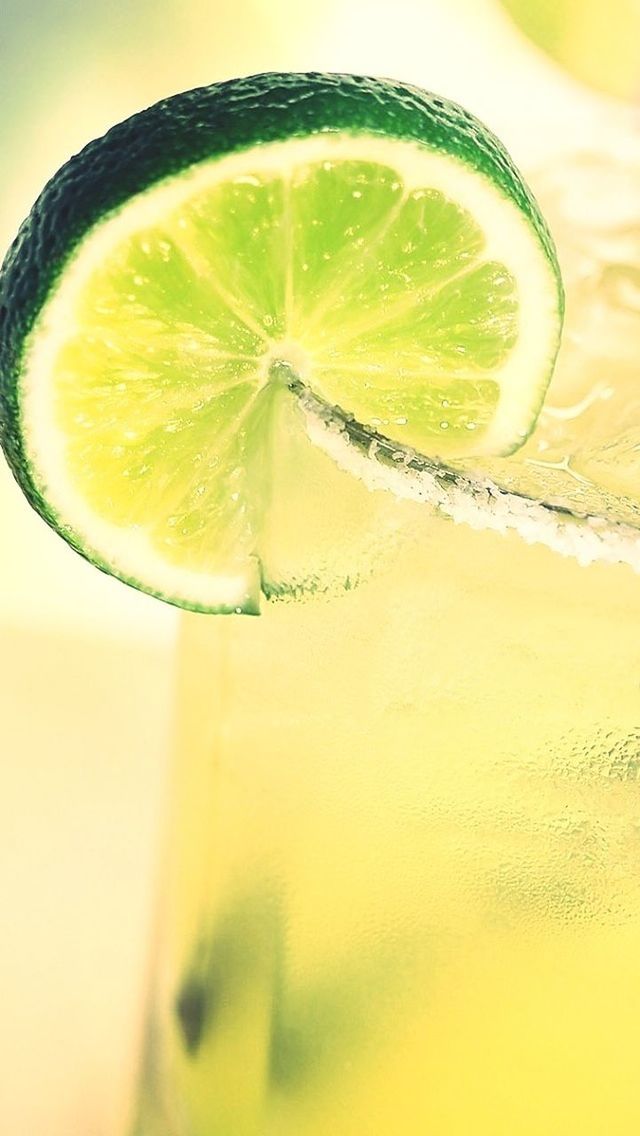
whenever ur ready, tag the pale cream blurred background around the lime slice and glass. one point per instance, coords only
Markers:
(86, 664)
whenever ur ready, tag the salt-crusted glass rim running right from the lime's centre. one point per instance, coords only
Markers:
(476, 502)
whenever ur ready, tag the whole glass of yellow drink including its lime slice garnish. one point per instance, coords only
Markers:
(293, 361)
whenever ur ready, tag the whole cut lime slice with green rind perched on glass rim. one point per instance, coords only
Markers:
(187, 280)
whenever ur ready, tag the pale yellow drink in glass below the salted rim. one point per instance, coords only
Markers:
(403, 883)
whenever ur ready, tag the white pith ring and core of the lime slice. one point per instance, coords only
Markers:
(510, 239)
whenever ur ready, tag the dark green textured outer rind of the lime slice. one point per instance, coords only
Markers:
(178, 133)
